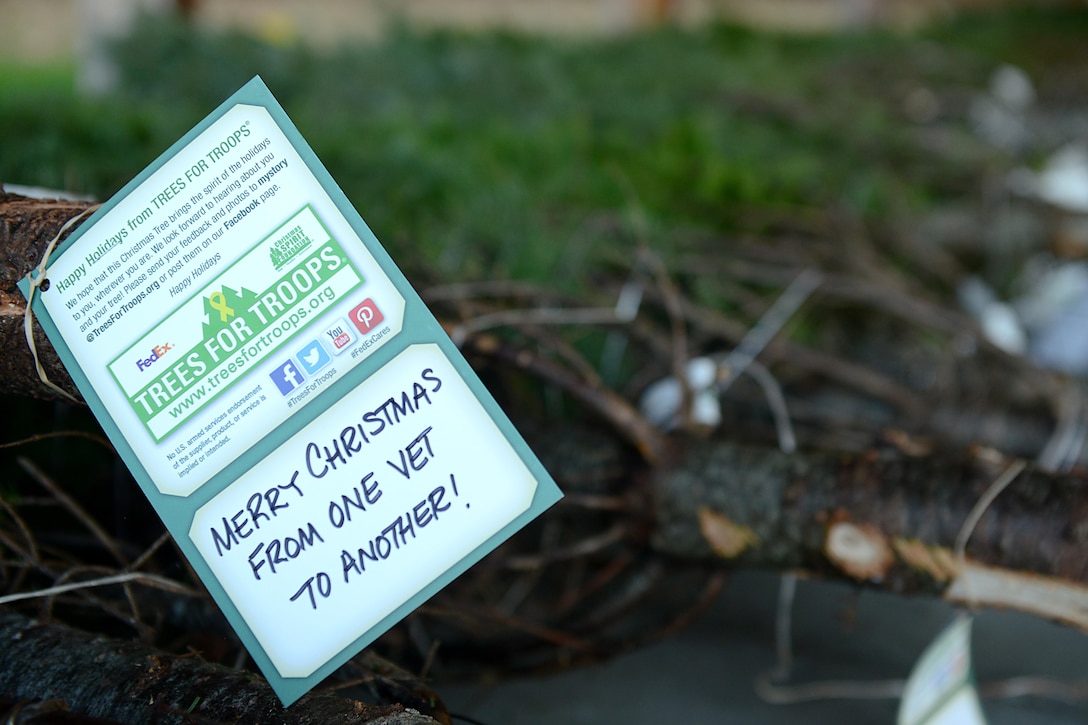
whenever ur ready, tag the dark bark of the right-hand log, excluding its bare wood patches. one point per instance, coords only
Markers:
(1038, 524)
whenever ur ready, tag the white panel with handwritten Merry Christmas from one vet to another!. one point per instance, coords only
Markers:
(362, 509)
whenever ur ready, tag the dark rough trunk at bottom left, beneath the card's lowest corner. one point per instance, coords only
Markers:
(128, 683)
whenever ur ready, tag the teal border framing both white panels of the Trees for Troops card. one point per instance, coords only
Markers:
(421, 327)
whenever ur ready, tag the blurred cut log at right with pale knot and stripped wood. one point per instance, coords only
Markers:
(883, 520)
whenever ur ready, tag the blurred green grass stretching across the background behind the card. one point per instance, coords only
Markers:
(505, 156)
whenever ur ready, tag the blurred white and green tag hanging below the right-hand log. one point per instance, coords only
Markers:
(942, 691)
